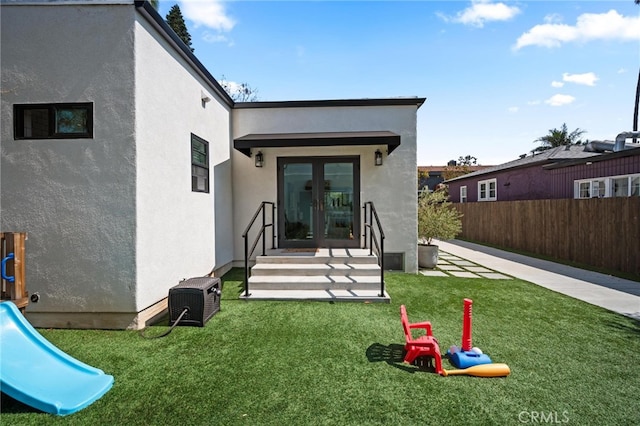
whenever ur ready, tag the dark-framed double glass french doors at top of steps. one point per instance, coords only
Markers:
(318, 202)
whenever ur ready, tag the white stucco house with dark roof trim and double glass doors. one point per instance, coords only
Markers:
(130, 168)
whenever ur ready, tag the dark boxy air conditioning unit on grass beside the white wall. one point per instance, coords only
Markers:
(199, 296)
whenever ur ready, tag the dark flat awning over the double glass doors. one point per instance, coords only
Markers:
(245, 143)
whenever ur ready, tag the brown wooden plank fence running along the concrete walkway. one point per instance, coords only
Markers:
(600, 232)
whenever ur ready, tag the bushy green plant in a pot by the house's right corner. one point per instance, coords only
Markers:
(437, 218)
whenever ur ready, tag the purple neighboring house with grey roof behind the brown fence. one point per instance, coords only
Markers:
(575, 171)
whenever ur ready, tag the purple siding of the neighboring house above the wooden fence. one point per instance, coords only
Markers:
(537, 183)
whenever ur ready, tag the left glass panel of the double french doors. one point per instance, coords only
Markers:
(298, 202)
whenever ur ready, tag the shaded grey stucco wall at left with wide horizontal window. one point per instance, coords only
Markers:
(76, 197)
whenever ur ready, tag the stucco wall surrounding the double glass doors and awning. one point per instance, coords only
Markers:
(392, 187)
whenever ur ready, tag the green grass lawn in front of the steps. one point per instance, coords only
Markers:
(299, 363)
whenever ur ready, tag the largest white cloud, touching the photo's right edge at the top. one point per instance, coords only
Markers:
(589, 26)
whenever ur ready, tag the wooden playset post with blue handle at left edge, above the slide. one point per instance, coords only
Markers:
(12, 253)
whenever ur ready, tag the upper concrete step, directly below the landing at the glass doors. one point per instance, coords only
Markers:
(315, 269)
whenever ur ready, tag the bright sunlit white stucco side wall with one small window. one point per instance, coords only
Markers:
(180, 233)
